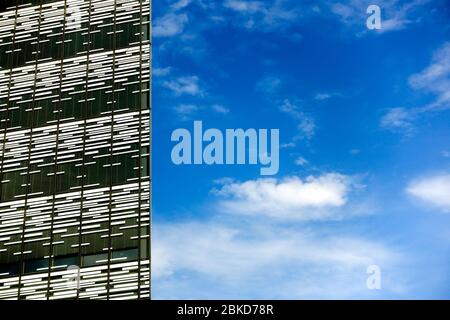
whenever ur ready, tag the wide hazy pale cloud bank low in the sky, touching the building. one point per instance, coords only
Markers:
(204, 260)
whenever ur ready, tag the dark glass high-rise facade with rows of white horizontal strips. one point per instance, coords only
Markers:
(75, 149)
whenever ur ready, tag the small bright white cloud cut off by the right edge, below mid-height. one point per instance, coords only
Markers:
(434, 190)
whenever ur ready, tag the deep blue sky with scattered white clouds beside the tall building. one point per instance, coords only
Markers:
(364, 176)
